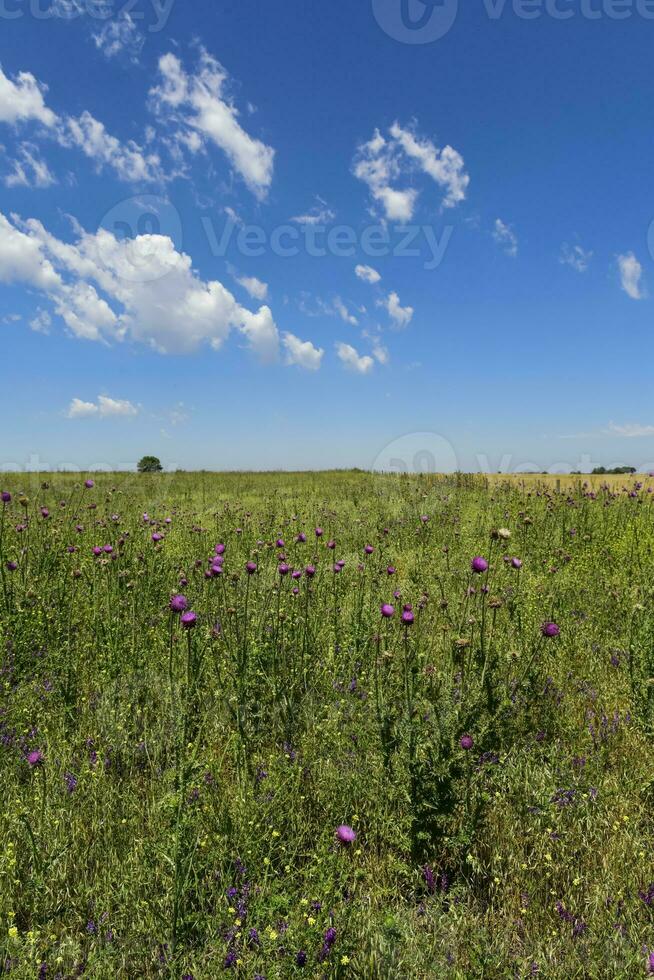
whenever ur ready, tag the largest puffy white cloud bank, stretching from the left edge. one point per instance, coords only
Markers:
(143, 290)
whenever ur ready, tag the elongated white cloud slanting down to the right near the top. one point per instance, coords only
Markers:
(197, 102)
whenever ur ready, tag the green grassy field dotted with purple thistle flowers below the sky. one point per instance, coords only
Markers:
(295, 782)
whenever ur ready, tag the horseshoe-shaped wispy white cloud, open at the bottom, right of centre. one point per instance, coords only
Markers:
(382, 162)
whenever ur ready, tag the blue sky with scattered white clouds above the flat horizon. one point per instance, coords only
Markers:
(301, 235)
